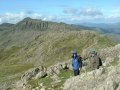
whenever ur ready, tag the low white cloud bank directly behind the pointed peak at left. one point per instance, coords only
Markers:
(16, 17)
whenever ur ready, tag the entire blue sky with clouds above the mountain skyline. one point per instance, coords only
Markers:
(68, 11)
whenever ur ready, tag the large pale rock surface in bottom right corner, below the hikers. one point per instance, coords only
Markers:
(100, 79)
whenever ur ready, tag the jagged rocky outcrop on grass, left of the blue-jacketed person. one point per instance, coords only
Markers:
(41, 72)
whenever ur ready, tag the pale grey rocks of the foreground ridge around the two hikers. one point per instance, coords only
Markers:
(105, 78)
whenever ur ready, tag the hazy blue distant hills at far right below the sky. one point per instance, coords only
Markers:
(111, 30)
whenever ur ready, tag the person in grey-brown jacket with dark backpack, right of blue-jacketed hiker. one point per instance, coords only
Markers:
(95, 60)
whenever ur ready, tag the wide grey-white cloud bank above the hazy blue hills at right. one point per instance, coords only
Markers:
(94, 15)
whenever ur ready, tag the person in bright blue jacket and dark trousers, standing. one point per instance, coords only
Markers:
(76, 63)
